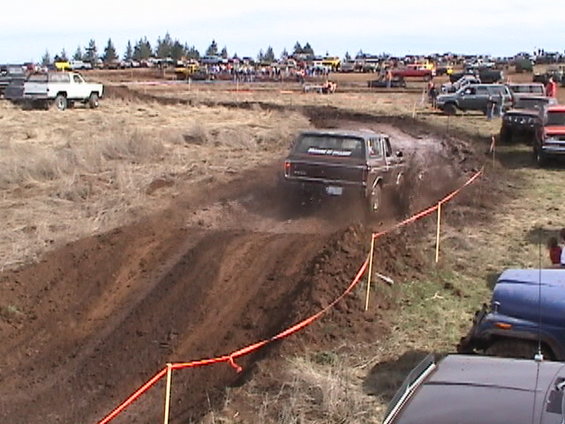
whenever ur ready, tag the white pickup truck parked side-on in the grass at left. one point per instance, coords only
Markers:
(61, 88)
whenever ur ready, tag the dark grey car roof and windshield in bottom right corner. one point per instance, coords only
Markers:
(465, 389)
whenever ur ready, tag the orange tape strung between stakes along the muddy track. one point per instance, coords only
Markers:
(230, 359)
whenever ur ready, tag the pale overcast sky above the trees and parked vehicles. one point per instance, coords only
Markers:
(498, 27)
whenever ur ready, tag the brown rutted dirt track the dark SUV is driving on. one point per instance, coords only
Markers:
(219, 269)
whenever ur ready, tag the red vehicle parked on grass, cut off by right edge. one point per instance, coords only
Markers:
(550, 139)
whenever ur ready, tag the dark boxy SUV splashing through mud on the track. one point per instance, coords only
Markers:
(343, 163)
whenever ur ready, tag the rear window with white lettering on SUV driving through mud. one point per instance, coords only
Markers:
(330, 145)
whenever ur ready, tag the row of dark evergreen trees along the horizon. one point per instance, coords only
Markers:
(164, 47)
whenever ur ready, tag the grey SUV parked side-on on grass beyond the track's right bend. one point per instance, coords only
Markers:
(475, 97)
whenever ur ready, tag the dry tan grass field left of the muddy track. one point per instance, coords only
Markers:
(68, 175)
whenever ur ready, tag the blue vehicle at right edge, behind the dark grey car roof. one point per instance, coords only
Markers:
(527, 311)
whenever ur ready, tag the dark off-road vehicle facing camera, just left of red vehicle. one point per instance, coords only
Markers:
(525, 118)
